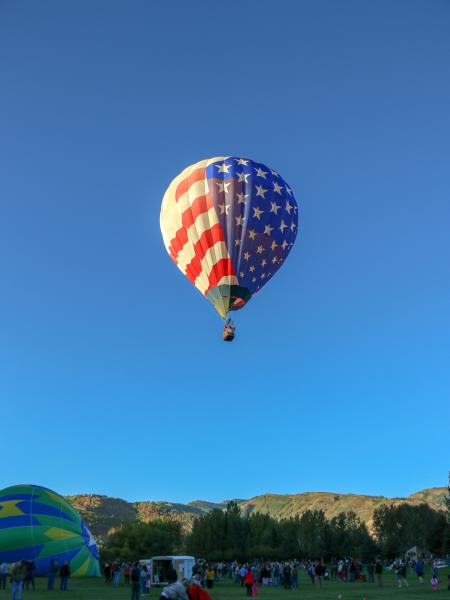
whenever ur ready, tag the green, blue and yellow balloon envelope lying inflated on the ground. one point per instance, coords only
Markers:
(40, 525)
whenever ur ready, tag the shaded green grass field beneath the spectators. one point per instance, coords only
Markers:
(96, 589)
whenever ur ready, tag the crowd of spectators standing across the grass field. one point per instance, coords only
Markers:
(250, 576)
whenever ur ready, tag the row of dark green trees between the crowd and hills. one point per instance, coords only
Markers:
(229, 534)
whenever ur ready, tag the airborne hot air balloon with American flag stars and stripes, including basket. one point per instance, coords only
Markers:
(228, 223)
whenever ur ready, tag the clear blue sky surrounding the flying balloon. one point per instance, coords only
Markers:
(113, 375)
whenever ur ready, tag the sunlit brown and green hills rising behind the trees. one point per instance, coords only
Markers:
(104, 514)
